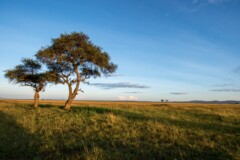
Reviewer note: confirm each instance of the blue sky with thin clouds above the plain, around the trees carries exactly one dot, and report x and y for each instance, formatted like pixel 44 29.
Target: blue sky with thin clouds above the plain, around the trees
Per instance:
pixel 176 50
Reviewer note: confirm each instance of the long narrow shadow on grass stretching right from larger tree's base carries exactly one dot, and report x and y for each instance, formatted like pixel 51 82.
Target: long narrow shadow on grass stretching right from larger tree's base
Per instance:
pixel 191 125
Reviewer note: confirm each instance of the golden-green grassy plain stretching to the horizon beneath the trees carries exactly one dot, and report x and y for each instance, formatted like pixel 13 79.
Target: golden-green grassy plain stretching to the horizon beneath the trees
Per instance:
pixel 119 130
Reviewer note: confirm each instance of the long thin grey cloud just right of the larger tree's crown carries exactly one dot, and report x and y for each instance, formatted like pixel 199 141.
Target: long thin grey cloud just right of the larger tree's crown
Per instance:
pixel 119 85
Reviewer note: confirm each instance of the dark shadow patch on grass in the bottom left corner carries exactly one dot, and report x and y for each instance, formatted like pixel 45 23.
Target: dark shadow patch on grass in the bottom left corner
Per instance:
pixel 15 141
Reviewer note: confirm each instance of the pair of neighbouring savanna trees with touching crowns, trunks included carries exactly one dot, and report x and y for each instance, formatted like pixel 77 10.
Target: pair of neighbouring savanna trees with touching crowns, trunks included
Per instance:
pixel 70 59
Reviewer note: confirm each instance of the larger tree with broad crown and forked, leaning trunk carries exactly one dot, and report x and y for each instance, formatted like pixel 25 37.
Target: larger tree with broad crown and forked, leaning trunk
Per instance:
pixel 73 59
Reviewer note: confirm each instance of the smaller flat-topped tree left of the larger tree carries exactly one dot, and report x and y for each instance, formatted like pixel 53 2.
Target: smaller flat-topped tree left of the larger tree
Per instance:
pixel 28 74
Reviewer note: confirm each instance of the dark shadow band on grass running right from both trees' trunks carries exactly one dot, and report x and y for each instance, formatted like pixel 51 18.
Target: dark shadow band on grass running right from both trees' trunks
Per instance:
pixel 214 123
